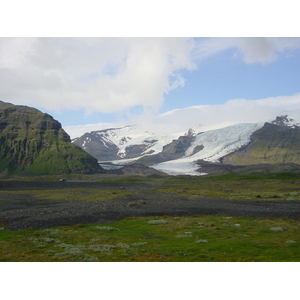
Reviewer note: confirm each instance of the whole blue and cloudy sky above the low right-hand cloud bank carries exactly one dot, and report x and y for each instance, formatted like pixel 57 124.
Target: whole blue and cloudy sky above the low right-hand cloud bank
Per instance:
pixel 83 81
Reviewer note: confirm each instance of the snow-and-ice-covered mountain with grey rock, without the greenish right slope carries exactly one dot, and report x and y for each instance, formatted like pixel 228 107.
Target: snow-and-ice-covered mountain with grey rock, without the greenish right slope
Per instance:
pixel 173 152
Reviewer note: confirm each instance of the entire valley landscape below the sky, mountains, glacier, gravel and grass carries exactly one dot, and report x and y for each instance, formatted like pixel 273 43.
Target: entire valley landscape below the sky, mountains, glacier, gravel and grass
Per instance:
pixel 228 191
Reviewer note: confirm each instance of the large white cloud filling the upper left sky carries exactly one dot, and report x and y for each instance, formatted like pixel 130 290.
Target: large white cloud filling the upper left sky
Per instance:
pixel 98 74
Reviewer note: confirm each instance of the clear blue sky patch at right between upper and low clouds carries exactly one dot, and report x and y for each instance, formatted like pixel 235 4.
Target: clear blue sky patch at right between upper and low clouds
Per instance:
pixel 221 78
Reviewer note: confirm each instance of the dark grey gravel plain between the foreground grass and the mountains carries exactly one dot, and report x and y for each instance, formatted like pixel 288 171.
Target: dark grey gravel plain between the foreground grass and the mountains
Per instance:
pixel 23 211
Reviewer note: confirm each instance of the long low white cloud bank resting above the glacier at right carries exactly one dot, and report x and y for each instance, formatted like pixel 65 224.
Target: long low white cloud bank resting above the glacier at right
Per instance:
pixel 237 111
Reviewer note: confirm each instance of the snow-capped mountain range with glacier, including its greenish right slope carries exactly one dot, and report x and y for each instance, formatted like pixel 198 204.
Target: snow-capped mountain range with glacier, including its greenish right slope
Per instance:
pixel 183 151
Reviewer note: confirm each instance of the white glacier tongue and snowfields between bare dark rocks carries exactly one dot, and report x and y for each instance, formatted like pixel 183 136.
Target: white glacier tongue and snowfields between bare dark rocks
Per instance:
pixel 216 141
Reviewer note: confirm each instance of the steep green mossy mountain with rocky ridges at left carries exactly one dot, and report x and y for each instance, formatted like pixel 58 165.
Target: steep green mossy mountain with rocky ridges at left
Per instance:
pixel 34 143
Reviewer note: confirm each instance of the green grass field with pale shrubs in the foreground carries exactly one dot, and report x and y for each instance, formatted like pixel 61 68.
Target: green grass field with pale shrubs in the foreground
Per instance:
pixel 196 238
